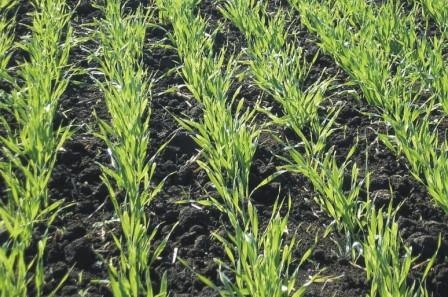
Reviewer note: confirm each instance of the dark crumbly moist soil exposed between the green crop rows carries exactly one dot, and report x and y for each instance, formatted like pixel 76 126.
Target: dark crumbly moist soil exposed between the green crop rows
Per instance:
pixel 81 242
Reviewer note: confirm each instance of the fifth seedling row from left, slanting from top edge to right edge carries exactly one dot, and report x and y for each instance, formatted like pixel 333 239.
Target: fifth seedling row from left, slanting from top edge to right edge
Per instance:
pixel 386 84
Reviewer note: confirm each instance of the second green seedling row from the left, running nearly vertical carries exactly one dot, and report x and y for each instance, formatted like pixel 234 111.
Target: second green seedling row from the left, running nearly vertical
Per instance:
pixel 126 86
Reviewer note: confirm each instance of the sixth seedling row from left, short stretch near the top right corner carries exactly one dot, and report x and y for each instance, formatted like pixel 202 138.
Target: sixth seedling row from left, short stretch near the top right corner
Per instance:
pixel 421 58
